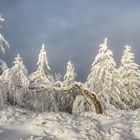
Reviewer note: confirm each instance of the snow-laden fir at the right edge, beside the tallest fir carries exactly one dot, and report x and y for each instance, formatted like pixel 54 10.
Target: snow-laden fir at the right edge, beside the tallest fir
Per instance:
pixel 130 74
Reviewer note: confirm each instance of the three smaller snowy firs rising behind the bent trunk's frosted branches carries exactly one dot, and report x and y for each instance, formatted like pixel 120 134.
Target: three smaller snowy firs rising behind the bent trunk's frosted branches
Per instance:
pixel 18 75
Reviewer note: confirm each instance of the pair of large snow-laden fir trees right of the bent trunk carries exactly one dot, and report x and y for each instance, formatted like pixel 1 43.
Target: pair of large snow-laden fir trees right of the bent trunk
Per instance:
pixel 119 86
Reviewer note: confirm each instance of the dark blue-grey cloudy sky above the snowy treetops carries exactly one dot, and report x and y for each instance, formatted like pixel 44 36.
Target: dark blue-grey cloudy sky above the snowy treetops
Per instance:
pixel 72 30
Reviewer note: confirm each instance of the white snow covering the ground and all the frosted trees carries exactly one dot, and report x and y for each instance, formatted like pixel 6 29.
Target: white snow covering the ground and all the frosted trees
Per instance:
pixel 39 93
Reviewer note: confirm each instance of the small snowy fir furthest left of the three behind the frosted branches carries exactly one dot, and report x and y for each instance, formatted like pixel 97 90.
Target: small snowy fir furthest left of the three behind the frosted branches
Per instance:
pixel 15 81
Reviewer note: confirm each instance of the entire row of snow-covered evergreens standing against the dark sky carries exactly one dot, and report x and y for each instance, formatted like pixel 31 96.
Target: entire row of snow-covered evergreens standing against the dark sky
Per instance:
pixel 118 86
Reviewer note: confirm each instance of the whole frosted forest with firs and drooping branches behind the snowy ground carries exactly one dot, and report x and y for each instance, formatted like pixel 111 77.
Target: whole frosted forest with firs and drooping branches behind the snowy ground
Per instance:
pixel 42 91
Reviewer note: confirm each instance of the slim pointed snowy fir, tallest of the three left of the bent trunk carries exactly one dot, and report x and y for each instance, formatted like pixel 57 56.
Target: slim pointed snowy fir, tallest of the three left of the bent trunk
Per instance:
pixel 41 76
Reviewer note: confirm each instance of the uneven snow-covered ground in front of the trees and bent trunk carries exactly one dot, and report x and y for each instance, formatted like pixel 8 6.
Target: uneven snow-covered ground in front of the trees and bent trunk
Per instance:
pixel 114 124
